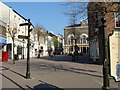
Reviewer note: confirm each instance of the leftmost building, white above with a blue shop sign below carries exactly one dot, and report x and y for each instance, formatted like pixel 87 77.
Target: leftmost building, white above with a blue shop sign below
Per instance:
pixel 4 15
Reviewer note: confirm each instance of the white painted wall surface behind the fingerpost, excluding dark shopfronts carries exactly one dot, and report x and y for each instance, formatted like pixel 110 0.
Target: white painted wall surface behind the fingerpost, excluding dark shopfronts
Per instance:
pixel 9 16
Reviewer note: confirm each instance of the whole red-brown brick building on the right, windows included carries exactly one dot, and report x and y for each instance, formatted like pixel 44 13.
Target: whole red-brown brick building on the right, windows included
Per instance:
pixel 95 12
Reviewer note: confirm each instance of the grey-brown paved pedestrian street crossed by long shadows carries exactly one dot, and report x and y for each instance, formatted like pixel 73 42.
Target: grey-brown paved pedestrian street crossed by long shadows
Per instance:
pixel 57 72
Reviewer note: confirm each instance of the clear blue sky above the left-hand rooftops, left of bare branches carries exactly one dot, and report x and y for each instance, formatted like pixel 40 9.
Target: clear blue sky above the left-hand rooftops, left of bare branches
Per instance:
pixel 48 14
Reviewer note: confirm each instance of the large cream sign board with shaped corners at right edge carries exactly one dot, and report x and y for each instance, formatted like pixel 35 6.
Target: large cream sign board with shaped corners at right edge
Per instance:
pixel 114 47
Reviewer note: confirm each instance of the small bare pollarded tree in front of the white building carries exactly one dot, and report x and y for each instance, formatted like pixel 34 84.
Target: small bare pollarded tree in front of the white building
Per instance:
pixel 12 33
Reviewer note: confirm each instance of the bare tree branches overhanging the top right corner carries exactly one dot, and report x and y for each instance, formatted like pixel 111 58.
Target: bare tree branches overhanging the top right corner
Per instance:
pixel 81 8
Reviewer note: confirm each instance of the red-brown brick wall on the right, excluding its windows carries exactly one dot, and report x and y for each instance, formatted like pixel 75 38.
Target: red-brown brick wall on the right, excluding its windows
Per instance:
pixel 110 25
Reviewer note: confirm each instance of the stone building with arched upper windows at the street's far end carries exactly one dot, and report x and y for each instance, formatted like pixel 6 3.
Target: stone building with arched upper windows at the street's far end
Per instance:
pixel 76 34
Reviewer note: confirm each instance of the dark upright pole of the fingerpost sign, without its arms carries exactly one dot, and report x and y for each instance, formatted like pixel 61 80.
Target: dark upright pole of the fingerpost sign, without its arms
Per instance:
pixel 28 53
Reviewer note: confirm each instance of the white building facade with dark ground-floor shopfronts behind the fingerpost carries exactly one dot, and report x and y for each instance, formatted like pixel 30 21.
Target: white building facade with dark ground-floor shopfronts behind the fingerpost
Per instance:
pixel 13 19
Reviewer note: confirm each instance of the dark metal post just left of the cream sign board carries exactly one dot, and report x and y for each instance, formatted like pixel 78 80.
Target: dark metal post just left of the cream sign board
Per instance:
pixel 106 85
